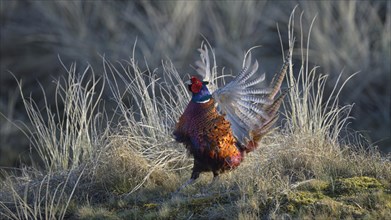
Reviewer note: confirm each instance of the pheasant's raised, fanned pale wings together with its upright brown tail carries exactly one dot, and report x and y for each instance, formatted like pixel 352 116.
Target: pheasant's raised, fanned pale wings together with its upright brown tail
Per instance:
pixel 250 108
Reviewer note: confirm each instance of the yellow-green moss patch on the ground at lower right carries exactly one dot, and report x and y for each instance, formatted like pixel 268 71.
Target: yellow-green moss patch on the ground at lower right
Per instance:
pixel 356 197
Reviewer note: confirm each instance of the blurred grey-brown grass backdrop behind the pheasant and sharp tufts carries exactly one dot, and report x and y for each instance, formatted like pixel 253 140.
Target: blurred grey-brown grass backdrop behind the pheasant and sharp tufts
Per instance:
pixel 347 37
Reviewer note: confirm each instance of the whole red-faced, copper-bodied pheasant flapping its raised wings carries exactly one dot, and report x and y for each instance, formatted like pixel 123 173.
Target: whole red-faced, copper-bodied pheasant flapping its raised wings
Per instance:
pixel 219 128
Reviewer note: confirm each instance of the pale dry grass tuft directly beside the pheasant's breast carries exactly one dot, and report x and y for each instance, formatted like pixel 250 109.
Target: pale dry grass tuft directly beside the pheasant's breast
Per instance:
pixel 146 109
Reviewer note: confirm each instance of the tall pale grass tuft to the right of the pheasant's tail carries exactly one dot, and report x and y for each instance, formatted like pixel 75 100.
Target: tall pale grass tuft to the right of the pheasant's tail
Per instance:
pixel 309 110
